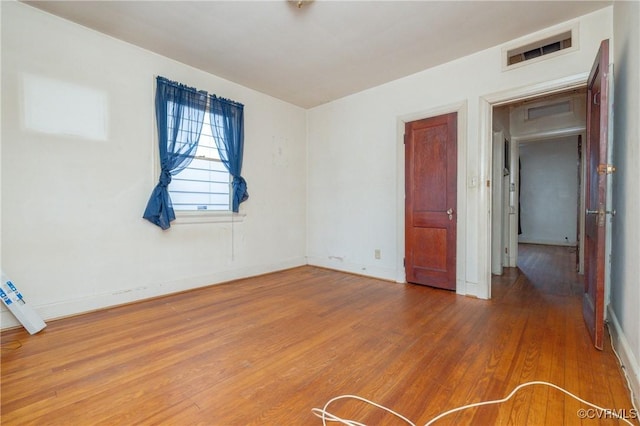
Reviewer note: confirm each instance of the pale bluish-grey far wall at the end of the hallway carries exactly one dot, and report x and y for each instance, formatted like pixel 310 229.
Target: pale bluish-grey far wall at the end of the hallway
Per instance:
pixel 549 191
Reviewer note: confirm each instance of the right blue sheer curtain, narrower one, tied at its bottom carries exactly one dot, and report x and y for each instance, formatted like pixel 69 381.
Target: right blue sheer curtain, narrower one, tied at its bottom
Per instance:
pixel 227 123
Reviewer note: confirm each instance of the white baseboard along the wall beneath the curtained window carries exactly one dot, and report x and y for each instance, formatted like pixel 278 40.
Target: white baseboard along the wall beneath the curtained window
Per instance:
pixel 108 299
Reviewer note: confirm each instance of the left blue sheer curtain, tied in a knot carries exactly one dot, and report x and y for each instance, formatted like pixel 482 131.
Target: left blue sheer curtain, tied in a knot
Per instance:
pixel 179 115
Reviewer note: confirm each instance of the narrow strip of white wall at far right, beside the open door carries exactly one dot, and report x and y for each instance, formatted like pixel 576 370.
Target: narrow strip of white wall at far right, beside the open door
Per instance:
pixel 623 314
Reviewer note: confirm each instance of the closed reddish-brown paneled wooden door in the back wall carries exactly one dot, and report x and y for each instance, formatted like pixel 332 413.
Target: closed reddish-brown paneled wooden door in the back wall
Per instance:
pixel 430 206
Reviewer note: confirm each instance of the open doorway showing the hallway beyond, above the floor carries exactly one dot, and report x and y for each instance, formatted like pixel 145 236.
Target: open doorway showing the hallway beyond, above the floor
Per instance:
pixel 537 195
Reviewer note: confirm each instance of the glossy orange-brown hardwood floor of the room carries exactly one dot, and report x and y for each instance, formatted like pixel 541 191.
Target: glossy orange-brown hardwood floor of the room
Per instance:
pixel 266 350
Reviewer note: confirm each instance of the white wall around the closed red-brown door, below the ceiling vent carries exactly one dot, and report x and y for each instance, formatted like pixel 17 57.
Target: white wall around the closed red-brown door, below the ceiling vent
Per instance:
pixel 355 178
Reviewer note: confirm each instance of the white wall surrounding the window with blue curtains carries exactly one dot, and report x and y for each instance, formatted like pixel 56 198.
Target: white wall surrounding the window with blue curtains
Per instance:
pixel 72 234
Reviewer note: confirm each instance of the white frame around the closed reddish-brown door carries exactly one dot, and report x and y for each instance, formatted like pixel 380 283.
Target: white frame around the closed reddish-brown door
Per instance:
pixel 461 109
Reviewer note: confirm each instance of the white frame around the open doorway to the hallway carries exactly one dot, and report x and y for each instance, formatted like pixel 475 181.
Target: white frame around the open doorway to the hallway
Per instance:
pixel 487 103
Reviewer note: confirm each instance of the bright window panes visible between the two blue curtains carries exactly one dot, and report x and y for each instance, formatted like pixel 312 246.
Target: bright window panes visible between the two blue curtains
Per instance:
pixel 204 185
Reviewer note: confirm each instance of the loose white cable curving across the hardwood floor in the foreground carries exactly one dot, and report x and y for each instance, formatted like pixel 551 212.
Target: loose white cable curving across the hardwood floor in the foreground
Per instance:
pixel 326 415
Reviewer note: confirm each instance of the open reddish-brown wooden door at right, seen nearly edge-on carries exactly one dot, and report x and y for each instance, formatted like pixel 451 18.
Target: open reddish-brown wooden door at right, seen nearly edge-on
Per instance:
pixel 596 193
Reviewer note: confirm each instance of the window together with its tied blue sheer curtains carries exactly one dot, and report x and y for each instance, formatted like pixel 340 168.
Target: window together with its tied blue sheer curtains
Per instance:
pixel 201 185
